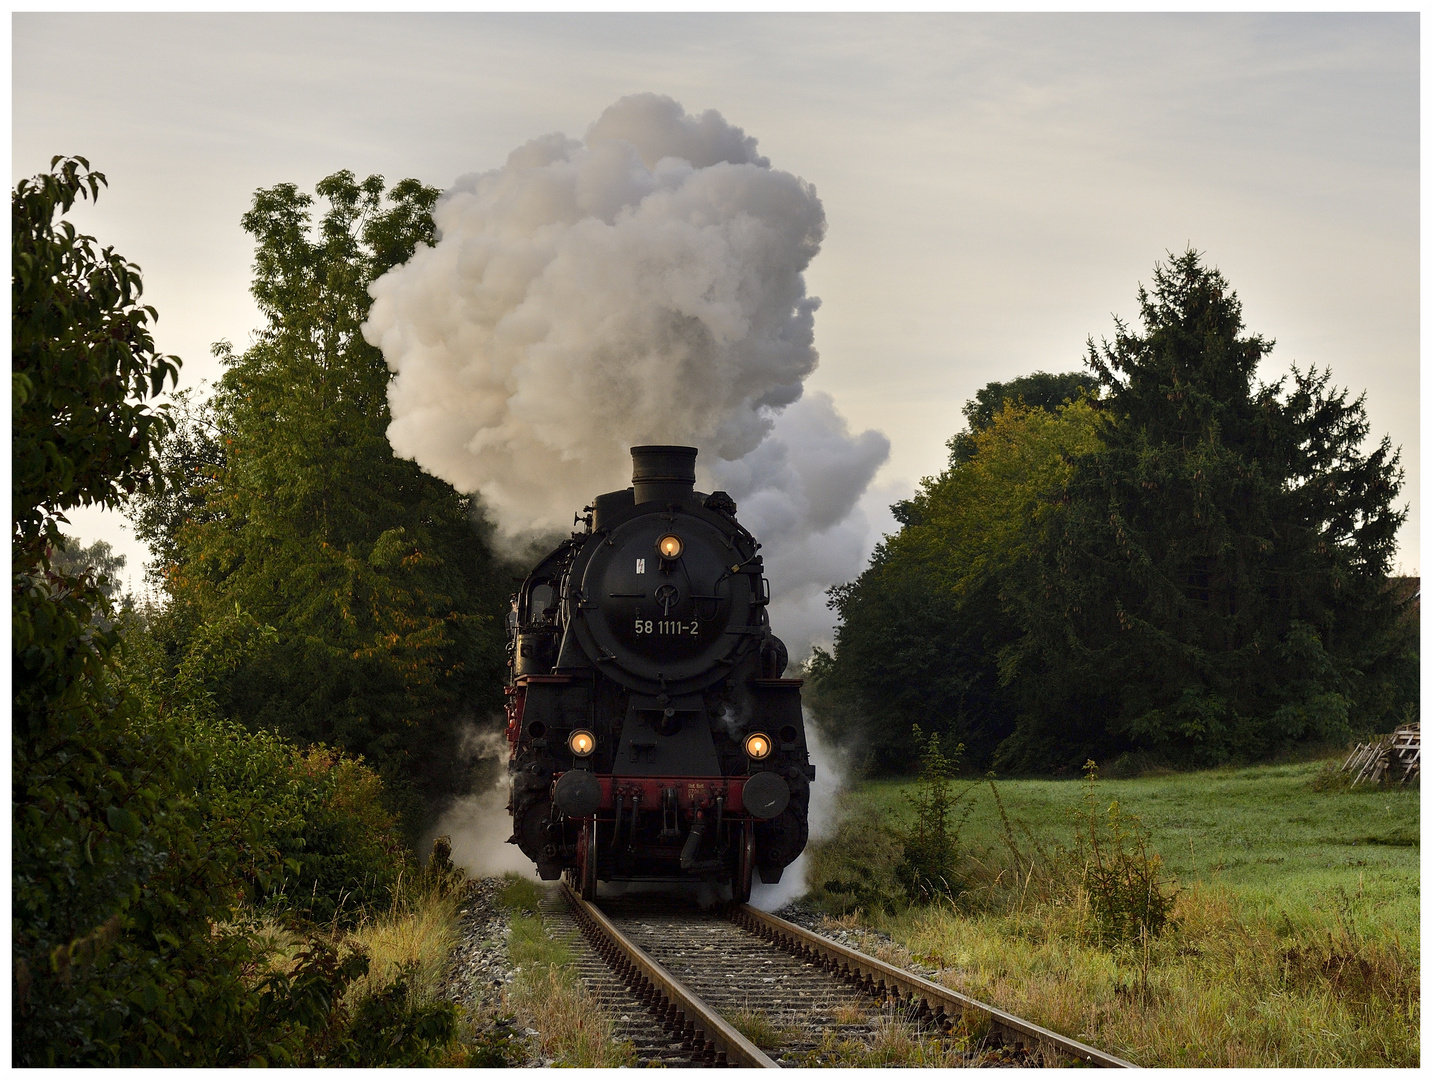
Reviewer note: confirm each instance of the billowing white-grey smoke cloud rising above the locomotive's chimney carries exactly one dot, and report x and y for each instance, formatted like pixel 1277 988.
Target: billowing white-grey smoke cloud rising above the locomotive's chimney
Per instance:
pixel 642 286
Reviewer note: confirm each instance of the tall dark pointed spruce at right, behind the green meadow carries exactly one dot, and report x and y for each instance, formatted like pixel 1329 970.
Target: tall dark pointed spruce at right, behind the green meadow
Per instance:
pixel 1221 587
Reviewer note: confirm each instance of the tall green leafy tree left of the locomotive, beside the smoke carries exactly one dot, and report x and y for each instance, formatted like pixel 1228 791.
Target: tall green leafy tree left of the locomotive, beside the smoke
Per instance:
pixel 286 501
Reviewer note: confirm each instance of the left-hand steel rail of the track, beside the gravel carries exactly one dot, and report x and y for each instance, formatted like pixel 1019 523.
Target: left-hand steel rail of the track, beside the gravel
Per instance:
pixel 712 1039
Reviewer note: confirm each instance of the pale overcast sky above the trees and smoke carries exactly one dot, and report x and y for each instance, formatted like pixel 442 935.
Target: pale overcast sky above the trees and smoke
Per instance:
pixel 996 187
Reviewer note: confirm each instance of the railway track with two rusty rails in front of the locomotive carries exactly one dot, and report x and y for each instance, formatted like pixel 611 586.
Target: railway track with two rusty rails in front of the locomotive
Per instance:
pixel 684 985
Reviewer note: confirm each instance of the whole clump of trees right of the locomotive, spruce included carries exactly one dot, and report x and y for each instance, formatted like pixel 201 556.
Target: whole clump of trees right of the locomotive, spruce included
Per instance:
pixel 1163 556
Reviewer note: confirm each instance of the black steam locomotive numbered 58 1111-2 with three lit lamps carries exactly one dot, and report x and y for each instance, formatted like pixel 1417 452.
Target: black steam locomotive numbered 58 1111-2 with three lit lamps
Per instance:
pixel 652 733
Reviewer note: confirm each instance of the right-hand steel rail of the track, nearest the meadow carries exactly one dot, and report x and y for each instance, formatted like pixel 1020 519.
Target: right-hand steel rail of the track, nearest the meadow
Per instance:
pixel 940 1003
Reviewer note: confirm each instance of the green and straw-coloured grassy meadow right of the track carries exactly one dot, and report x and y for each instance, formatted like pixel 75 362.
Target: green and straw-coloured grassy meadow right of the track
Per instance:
pixel 1292 936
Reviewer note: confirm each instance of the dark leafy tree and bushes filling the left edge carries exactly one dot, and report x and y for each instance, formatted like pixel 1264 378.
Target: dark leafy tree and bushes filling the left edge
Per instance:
pixel 145 831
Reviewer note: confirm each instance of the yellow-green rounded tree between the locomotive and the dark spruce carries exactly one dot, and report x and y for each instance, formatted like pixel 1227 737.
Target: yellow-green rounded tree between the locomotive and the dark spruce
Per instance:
pixel 926 630
